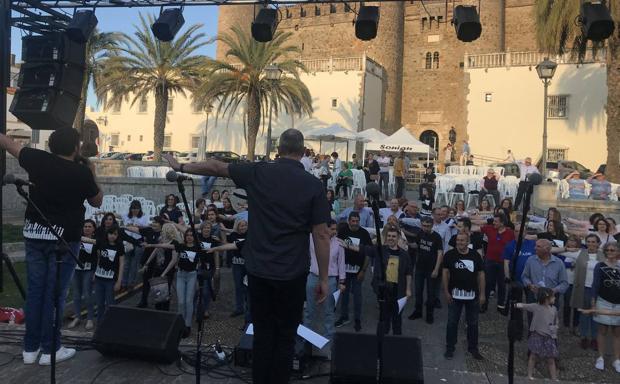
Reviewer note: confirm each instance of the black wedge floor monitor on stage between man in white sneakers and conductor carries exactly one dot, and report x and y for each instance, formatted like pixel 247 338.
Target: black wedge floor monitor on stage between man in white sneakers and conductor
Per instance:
pixel 139 333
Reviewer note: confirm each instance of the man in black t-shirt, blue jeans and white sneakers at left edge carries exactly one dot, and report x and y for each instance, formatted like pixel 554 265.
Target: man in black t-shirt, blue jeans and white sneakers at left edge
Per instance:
pixel 62 180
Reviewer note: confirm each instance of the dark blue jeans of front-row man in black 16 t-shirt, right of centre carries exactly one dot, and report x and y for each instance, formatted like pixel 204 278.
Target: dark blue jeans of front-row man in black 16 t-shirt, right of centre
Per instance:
pixel 471 317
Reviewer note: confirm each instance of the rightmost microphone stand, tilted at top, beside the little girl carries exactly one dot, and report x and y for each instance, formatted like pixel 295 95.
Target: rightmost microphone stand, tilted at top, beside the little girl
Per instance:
pixel 515 324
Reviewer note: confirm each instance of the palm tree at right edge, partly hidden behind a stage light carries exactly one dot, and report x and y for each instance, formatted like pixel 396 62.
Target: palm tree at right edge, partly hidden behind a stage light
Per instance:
pixel 557 33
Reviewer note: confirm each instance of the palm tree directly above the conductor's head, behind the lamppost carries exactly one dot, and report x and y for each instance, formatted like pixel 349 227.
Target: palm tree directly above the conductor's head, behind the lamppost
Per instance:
pixel 244 83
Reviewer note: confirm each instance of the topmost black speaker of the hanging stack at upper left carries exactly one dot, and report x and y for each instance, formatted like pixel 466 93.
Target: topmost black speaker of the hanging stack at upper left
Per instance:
pixel 53 47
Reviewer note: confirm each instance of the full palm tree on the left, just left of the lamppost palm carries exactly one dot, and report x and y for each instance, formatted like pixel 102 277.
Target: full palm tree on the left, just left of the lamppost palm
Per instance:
pixel 144 64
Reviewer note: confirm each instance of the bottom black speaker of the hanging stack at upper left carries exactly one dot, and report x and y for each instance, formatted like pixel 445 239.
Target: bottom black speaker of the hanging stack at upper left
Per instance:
pixel 45 108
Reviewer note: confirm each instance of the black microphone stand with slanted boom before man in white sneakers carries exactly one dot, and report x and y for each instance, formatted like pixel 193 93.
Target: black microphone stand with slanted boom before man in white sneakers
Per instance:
pixel 62 247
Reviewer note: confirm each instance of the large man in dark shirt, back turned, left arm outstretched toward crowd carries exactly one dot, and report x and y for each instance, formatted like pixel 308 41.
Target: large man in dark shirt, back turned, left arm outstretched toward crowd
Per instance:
pixel 286 204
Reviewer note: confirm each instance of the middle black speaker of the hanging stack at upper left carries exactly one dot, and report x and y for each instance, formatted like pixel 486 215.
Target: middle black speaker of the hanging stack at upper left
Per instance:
pixel 65 77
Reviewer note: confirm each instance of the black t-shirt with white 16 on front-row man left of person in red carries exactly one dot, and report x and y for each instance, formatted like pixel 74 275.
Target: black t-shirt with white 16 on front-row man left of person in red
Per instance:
pixel 463 283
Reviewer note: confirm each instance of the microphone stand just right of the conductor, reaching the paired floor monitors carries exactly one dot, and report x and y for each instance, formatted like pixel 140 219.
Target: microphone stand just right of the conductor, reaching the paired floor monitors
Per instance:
pixel 381 290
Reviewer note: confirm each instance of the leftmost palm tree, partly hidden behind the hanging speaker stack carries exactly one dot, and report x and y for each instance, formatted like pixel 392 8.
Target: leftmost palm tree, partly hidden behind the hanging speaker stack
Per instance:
pixel 98 47
